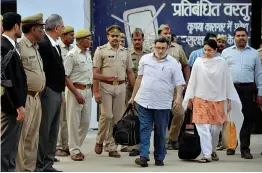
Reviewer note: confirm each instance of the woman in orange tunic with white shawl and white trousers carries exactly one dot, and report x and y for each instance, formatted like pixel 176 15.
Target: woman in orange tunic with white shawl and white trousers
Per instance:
pixel 212 94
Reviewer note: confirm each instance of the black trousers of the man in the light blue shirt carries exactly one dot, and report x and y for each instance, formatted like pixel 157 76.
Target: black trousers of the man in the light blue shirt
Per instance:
pixel 246 94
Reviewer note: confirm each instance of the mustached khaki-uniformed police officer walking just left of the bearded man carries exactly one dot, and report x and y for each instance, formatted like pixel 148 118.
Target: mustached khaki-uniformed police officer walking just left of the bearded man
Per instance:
pixel 111 59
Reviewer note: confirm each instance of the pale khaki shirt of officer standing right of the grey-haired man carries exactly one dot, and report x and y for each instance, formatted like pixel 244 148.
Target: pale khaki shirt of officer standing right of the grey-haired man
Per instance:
pixel 79 67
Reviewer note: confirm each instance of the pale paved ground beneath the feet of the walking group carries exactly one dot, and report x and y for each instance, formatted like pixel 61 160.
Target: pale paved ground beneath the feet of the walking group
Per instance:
pixel 102 163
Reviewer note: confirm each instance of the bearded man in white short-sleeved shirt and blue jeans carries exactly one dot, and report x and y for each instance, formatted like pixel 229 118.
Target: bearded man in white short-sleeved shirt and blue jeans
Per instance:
pixel 158 75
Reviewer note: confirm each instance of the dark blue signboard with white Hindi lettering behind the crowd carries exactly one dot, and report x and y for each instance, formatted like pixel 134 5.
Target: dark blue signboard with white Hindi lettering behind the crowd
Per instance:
pixel 190 20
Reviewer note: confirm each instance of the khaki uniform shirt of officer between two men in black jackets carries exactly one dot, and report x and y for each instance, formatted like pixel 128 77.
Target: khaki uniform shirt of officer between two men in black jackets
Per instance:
pixel 33 65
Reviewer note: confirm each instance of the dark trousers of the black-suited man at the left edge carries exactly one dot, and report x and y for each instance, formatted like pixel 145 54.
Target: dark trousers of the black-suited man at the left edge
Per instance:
pixel 10 135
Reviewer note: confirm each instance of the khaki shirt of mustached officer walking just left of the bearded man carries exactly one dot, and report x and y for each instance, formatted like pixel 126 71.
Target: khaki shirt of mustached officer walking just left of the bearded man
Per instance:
pixel 113 63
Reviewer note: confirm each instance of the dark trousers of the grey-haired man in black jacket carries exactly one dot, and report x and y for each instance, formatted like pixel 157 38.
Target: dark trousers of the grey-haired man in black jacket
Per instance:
pixel 48 132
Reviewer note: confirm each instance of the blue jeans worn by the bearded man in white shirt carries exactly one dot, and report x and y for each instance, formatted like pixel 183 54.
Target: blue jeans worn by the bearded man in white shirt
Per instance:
pixel 160 119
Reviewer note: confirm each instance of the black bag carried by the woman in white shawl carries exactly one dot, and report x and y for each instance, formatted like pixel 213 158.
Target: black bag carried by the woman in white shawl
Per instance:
pixel 189 144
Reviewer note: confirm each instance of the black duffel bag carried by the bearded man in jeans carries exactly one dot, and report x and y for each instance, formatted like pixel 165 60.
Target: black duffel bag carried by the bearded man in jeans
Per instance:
pixel 126 130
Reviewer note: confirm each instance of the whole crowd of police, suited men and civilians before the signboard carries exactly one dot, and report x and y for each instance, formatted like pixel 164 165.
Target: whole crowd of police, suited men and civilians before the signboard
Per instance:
pixel 46 109
